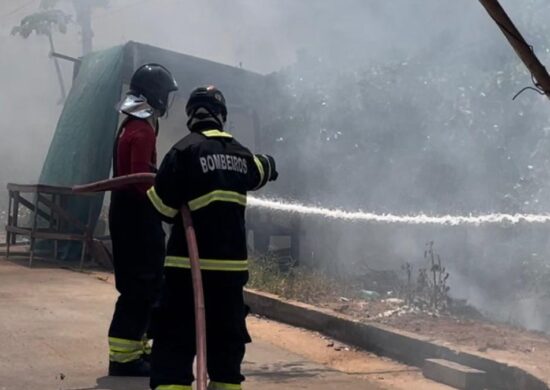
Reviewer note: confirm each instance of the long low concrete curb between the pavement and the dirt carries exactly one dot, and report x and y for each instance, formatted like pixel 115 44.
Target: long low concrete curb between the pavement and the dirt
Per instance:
pixel 383 340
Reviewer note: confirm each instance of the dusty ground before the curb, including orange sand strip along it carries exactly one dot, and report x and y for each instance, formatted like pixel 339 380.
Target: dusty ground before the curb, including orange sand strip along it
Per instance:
pixel 53 324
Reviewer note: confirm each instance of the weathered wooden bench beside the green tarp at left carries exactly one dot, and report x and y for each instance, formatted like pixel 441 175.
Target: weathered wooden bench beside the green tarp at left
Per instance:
pixel 46 203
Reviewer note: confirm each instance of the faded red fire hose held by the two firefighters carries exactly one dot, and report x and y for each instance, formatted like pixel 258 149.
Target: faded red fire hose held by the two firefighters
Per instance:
pixel 198 293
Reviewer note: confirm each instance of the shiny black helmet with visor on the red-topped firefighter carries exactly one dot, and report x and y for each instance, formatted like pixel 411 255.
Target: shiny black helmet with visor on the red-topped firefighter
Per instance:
pixel 155 82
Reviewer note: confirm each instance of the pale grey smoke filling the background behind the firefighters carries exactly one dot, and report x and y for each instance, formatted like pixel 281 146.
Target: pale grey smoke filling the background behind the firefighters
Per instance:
pixel 391 107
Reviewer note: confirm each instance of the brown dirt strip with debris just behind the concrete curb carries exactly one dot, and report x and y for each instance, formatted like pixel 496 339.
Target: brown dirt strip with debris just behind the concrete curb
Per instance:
pixel 526 349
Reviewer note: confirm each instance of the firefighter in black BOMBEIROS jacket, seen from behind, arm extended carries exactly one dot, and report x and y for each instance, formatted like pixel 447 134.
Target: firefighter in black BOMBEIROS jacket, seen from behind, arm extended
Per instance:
pixel 210 172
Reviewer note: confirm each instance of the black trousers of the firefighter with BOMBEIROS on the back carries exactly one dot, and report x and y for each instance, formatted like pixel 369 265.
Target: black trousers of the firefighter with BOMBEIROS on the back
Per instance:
pixel 174 346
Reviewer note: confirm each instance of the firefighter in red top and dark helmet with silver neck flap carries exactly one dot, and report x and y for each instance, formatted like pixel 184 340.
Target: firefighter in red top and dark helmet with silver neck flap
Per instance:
pixel 136 230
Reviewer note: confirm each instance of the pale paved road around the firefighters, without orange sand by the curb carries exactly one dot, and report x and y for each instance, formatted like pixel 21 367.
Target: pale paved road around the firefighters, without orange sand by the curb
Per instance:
pixel 52 331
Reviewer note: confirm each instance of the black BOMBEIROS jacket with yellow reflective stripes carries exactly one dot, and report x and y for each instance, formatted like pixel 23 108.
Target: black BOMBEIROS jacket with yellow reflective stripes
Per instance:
pixel 221 171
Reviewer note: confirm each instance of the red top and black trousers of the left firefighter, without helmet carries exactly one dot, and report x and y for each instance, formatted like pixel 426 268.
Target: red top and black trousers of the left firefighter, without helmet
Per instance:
pixel 138 243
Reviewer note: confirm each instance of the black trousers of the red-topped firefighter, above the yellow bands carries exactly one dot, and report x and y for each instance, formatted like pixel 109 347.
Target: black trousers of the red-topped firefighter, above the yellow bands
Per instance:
pixel 138 257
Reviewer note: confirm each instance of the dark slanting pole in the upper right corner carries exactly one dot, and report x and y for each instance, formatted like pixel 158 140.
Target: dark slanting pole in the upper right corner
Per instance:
pixel 521 47
